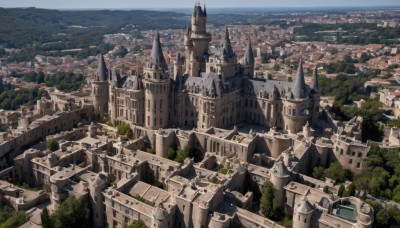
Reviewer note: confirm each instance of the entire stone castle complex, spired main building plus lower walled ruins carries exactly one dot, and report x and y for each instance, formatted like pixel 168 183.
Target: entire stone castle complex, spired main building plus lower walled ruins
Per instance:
pixel 201 106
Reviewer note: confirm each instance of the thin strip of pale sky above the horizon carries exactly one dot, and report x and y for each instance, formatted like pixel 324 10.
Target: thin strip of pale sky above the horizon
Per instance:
pixel 185 4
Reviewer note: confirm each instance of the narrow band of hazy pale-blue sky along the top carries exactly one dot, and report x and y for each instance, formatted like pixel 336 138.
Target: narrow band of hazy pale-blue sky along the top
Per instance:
pixel 131 4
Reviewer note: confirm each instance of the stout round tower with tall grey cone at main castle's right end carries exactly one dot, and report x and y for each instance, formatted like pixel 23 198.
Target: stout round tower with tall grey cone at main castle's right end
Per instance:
pixel 296 103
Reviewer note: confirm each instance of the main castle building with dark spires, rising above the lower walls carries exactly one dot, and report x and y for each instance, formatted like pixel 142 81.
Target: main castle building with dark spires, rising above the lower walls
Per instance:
pixel 207 89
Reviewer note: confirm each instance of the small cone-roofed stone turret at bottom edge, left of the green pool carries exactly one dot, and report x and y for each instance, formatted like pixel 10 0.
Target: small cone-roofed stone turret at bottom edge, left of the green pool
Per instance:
pixel 302 214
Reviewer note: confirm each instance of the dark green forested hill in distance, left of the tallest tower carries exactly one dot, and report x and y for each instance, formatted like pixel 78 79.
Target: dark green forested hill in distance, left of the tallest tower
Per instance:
pixel 20 27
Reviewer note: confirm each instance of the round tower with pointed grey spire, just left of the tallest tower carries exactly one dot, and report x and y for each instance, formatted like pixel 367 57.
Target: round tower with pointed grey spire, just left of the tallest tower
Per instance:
pixel 157 88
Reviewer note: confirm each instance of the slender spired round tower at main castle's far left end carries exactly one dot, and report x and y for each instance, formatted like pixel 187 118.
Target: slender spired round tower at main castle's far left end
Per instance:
pixel 100 88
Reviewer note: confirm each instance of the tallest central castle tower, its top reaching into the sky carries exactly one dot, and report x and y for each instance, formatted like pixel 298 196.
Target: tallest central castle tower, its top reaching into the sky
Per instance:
pixel 197 41
